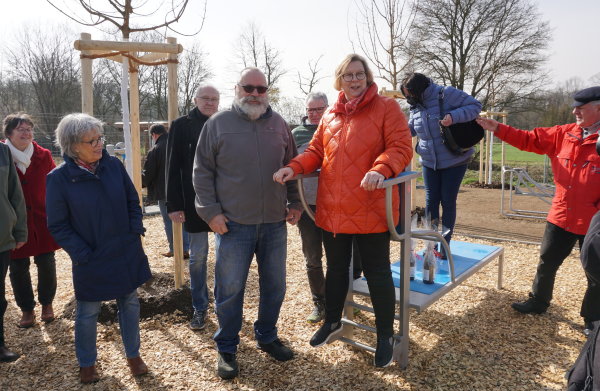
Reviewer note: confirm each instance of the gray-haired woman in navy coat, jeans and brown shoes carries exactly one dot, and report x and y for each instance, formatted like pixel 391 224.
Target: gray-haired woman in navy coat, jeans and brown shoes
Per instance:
pixel 94 214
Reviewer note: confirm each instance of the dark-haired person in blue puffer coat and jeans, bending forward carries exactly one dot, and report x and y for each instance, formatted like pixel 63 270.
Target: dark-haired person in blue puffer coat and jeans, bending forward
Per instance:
pixel 443 170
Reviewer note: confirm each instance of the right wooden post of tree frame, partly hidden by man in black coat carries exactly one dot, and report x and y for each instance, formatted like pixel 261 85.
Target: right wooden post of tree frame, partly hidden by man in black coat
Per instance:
pixel 173 114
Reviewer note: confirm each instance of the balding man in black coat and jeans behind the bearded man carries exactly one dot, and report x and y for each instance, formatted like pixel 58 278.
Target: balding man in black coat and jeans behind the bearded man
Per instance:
pixel 181 147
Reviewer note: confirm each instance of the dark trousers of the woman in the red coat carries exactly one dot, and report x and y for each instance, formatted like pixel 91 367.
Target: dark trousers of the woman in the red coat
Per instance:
pixel 21 280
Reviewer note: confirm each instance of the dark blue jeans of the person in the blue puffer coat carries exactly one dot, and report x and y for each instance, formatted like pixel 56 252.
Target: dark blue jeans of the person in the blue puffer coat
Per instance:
pixel 441 187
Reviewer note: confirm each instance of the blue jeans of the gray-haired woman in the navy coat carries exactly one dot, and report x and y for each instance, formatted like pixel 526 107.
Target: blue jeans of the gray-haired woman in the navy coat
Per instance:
pixel 86 318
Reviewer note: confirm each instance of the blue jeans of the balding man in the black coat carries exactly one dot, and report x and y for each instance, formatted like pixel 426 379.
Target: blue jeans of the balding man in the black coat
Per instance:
pixel 198 256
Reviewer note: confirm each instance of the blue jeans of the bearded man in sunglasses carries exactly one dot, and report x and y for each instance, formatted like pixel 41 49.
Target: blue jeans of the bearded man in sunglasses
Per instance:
pixel 234 252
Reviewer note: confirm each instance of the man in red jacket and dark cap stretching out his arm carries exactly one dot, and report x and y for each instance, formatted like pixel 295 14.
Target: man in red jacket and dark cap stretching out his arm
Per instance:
pixel 576 167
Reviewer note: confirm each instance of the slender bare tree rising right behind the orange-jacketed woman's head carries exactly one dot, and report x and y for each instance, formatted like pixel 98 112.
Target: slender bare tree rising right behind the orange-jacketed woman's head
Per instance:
pixel 382 30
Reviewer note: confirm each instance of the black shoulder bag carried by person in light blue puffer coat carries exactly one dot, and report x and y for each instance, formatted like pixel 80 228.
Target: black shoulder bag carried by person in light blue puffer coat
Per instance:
pixel 459 137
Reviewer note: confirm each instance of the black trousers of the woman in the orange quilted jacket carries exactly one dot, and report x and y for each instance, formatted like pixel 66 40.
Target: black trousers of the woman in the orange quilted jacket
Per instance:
pixel 375 253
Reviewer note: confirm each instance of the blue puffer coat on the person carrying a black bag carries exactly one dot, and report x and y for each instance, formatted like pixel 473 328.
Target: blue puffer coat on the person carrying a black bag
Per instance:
pixel 424 123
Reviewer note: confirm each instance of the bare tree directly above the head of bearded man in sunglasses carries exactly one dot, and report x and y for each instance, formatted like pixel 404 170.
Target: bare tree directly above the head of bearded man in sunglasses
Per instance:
pixel 254 51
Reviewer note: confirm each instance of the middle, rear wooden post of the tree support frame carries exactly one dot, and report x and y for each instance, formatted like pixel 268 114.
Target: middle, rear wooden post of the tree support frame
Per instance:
pixel 134 115
